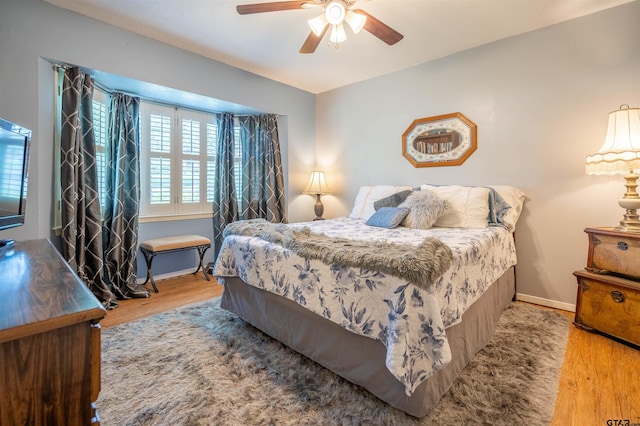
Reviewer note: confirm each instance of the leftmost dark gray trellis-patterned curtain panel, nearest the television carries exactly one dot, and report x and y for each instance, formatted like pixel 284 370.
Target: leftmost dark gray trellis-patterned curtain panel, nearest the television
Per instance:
pixel 80 204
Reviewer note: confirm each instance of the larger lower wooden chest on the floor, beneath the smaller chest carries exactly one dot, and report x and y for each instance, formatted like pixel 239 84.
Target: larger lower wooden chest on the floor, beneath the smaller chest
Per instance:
pixel 609 304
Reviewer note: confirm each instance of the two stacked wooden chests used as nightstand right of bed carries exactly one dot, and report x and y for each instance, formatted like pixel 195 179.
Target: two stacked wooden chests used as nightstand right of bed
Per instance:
pixel 609 287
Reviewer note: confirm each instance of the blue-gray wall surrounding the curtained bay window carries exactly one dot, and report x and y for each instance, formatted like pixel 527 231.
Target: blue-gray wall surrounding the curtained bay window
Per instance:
pixel 31 30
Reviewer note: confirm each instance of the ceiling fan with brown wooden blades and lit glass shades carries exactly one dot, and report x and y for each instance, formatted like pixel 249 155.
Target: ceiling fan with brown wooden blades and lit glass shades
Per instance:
pixel 335 14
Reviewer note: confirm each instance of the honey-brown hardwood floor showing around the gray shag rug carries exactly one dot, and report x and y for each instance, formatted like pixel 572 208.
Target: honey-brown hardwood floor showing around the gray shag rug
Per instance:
pixel 599 383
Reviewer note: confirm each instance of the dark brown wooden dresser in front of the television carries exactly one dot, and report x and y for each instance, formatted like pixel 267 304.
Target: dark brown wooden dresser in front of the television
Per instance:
pixel 49 340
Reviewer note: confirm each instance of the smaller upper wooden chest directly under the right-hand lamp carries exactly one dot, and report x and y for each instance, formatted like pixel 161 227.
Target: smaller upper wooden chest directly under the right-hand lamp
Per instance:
pixel 614 251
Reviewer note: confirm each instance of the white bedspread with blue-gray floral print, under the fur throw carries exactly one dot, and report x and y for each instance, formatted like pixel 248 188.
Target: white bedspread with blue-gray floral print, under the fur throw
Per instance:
pixel 408 320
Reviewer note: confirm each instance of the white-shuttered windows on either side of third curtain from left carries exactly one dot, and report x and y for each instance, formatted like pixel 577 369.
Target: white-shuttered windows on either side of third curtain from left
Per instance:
pixel 177 160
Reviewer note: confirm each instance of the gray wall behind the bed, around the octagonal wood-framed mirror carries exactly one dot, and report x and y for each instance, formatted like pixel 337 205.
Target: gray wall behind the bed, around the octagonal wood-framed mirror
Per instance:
pixel 540 101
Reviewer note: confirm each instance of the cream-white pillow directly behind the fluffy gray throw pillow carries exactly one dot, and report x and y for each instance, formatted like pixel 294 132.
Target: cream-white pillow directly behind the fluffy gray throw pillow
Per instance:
pixel 469 206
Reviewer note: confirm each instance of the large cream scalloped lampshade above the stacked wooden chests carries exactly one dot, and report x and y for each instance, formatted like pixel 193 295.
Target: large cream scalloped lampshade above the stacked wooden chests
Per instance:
pixel 620 152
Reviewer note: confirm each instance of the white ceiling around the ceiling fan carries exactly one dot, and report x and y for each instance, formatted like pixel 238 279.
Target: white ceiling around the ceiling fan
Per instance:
pixel 267 44
